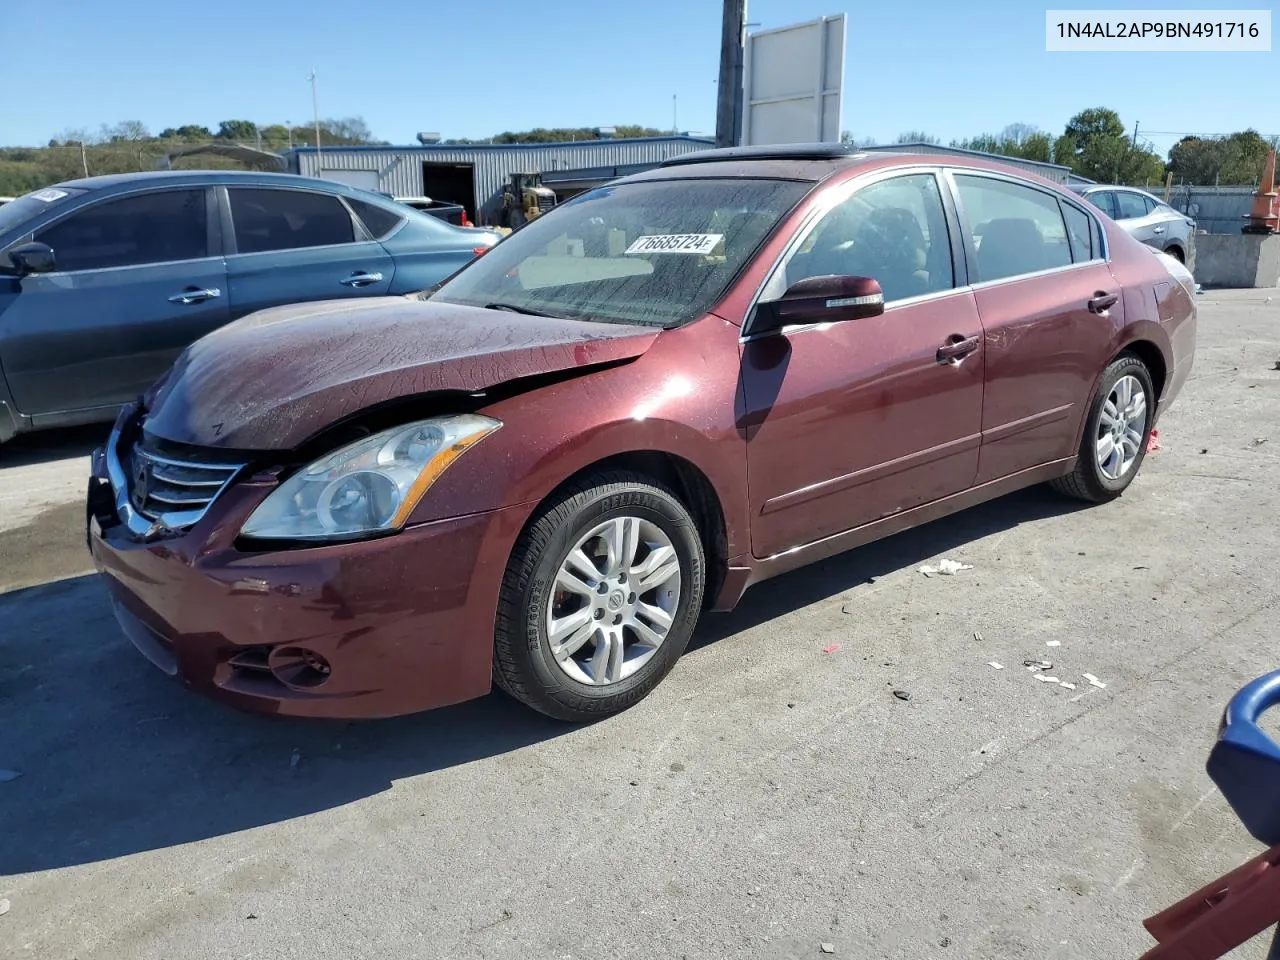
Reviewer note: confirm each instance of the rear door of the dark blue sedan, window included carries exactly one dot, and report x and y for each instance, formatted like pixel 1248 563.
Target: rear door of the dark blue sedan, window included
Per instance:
pixel 299 245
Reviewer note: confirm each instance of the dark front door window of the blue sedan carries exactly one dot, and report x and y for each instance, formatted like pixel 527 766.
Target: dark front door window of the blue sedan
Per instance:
pixel 145 228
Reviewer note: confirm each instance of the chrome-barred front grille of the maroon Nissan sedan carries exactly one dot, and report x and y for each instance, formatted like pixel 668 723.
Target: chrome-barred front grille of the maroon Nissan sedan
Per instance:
pixel 175 492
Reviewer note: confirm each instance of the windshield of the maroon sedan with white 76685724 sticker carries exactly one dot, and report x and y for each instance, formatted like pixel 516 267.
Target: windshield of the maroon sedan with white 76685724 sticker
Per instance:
pixel 659 253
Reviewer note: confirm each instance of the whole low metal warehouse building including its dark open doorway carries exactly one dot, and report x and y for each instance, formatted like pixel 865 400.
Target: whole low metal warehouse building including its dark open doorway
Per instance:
pixel 474 175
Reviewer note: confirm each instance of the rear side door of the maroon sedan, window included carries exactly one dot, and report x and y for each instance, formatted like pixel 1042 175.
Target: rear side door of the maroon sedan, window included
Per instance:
pixel 1049 308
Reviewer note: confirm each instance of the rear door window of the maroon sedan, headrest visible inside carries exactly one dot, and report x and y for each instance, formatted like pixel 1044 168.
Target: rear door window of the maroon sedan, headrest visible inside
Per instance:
pixel 1016 230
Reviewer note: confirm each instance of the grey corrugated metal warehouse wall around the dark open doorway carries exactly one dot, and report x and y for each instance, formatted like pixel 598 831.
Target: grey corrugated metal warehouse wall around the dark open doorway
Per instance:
pixel 400 170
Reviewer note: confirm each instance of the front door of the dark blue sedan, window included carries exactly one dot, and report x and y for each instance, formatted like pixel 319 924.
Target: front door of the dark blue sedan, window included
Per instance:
pixel 138 278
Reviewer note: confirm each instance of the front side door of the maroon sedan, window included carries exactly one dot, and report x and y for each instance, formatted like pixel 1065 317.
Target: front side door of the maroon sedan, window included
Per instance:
pixel 853 422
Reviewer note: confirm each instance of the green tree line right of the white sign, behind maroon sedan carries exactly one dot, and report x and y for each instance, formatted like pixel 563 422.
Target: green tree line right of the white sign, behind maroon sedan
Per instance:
pixel 1096 145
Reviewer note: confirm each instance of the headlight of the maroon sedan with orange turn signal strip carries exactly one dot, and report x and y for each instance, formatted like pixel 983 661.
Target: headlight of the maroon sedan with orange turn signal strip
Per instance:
pixel 369 486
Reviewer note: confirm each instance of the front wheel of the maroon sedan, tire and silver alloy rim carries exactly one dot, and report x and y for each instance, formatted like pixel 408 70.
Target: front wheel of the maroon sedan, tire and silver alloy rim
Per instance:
pixel 601 598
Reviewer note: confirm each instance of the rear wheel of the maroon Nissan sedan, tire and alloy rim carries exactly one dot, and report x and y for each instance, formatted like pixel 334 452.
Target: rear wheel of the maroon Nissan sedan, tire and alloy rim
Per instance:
pixel 1117 431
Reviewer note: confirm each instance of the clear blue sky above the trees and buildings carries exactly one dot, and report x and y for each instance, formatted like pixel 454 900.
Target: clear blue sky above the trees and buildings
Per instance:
pixel 473 70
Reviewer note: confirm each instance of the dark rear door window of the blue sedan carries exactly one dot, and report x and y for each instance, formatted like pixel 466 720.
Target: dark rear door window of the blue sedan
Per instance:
pixel 289 220
